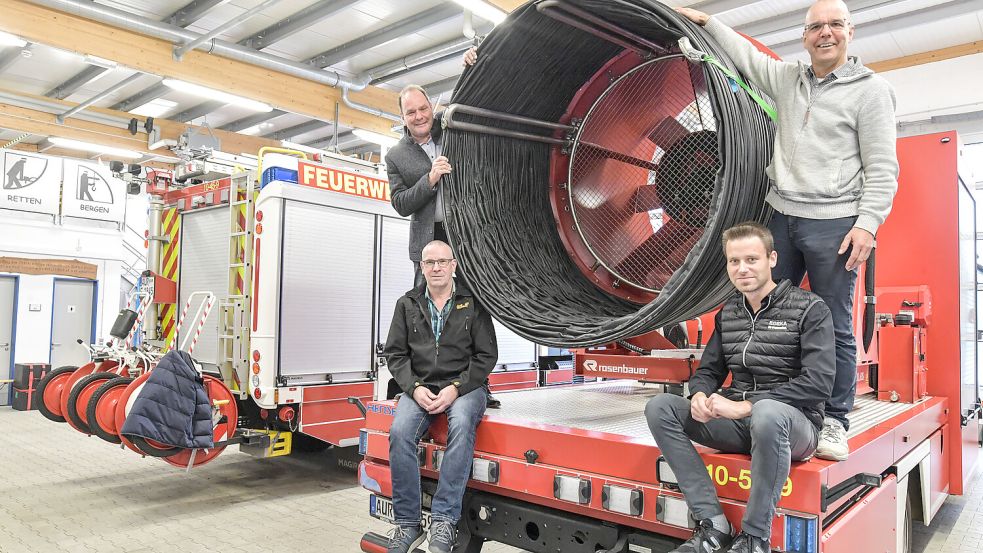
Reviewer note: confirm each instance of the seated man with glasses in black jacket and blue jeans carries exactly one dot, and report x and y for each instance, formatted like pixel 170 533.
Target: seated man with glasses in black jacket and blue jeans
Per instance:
pixel 440 350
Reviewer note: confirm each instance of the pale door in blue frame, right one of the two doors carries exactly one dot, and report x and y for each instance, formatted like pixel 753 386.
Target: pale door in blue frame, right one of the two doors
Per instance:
pixel 71 321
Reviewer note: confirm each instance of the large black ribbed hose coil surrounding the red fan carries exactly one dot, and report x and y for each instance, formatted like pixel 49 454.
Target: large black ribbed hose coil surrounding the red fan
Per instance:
pixel 497 200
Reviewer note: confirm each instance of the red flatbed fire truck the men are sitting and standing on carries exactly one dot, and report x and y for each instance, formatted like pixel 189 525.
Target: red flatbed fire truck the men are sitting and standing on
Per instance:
pixel 575 469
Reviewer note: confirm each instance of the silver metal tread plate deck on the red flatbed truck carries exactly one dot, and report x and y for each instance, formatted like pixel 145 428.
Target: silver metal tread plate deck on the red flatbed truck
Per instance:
pixel 618 407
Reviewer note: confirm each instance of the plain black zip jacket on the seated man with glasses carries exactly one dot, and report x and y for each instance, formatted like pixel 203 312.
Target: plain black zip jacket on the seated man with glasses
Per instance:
pixel 467 353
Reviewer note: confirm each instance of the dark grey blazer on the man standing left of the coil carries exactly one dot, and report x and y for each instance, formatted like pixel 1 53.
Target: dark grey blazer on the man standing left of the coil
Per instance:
pixel 408 167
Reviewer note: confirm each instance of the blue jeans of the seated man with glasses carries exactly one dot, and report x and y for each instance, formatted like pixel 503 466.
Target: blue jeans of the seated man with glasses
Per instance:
pixel 409 425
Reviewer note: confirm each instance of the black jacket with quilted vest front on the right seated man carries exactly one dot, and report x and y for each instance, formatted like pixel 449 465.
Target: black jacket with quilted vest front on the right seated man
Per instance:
pixel 784 352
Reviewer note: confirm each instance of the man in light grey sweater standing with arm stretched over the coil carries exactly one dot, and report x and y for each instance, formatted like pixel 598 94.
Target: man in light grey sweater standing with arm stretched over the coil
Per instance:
pixel 834 174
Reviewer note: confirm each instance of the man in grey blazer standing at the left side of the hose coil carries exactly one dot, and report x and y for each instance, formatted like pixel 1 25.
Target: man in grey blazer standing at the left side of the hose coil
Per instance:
pixel 415 167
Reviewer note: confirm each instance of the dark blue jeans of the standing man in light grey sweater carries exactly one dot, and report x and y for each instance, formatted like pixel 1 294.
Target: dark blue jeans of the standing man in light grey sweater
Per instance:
pixel 810 246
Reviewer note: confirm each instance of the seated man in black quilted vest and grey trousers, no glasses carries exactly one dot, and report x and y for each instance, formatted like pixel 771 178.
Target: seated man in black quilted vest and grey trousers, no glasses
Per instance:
pixel 774 339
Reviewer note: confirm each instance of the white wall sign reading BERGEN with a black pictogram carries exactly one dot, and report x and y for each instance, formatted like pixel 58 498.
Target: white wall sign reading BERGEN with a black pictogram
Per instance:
pixel 92 192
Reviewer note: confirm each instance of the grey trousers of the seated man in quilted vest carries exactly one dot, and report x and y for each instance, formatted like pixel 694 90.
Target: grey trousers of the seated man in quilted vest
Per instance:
pixel 774 435
